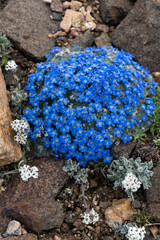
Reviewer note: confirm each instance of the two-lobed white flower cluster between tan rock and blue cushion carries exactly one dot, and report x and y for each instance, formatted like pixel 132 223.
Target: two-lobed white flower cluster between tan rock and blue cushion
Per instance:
pixel 22 129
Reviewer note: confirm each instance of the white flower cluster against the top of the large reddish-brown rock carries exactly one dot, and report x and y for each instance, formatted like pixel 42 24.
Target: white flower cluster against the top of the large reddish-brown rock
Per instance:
pixel 27 172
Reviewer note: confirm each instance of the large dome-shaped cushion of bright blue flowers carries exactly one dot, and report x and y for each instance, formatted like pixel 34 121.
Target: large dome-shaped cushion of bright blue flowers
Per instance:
pixel 81 101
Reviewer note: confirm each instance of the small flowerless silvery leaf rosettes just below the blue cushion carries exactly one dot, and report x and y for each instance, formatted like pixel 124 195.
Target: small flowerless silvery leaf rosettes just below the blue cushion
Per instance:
pixel 80 175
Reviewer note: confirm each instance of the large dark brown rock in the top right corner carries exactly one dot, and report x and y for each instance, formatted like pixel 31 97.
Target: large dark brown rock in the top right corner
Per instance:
pixel 142 25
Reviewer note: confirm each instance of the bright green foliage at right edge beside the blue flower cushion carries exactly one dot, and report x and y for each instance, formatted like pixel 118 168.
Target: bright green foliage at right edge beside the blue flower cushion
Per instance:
pixel 155 127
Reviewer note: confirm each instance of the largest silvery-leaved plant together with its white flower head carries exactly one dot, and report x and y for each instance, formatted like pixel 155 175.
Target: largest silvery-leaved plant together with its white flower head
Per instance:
pixel 130 174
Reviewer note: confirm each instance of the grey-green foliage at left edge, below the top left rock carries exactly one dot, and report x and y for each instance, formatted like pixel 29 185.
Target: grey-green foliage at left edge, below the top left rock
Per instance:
pixel 4 49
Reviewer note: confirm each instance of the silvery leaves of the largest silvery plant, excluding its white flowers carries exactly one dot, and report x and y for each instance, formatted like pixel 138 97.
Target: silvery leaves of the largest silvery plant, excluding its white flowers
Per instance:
pixel 119 169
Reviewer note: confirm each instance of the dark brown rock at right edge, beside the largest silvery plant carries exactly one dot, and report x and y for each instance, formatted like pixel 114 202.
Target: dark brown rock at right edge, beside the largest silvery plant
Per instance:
pixel 153 193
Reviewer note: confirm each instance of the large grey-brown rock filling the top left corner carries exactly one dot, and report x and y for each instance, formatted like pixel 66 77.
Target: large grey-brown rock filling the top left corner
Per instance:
pixel 27 24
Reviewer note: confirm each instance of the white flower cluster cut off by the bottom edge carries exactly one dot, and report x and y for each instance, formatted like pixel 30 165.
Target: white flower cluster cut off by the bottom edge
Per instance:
pixel 135 233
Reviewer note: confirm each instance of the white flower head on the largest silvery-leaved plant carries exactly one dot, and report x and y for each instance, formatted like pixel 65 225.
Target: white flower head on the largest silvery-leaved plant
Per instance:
pixel 131 182
